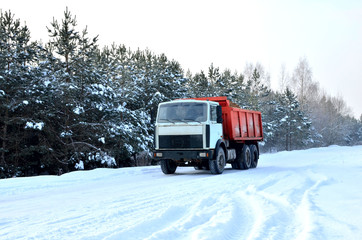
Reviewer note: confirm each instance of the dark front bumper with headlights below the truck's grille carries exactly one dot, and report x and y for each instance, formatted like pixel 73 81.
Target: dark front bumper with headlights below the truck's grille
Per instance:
pixel 183 155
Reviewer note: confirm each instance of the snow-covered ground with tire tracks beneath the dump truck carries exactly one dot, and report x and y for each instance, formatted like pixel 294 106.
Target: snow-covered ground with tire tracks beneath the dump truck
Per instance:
pixel 312 194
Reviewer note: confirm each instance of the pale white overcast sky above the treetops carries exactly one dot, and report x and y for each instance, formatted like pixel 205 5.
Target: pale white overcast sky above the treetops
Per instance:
pixel 226 33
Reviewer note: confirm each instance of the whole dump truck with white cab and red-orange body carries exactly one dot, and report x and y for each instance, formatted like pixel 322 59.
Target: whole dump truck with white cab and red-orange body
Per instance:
pixel 206 133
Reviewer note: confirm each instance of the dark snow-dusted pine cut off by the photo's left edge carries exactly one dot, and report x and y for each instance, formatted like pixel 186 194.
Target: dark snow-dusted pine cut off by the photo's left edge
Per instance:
pixel 18 75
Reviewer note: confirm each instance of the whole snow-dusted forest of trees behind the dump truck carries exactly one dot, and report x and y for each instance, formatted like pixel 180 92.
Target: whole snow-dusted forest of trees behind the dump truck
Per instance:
pixel 70 104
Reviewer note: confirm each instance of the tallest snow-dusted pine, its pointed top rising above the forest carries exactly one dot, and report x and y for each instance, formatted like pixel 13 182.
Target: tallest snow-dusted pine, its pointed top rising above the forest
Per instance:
pixel 81 94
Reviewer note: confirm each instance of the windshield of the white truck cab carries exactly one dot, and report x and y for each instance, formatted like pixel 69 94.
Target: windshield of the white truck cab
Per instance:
pixel 182 112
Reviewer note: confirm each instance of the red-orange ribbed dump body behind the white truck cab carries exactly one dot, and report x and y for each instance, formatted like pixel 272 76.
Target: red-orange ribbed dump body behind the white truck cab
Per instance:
pixel 239 125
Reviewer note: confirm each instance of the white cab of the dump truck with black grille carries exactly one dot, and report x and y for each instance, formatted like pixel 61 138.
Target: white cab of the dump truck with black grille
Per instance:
pixel 187 133
